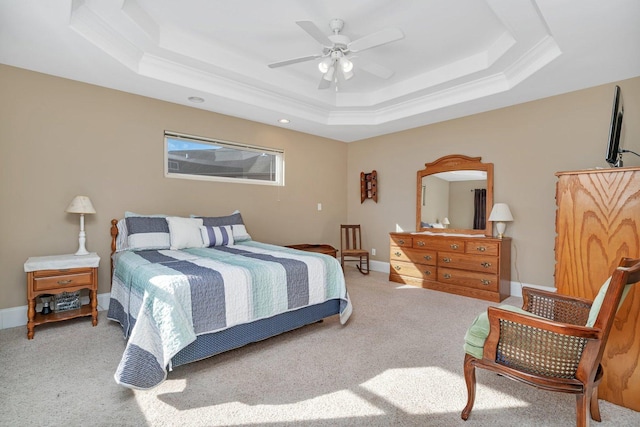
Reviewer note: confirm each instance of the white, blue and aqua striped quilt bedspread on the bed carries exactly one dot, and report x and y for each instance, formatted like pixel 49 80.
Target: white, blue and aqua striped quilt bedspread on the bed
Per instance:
pixel 165 298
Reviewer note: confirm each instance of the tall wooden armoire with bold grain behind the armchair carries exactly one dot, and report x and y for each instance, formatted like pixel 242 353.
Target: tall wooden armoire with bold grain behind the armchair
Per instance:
pixel 597 223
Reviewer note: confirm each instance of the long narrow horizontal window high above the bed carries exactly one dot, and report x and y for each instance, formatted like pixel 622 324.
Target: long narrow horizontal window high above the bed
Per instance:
pixel 193 157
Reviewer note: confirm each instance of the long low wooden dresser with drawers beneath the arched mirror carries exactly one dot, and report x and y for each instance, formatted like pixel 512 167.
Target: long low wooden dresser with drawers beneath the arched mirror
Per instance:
pixel 478 267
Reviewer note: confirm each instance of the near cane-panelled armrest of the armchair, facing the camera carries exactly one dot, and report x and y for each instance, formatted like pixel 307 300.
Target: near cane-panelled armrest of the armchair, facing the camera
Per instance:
pixel 536 345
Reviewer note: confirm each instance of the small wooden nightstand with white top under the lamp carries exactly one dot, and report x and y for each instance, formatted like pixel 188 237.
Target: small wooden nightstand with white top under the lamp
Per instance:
pixel 53 275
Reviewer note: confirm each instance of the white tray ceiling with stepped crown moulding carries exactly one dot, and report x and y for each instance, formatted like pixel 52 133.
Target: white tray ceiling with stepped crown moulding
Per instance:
pixel 457 58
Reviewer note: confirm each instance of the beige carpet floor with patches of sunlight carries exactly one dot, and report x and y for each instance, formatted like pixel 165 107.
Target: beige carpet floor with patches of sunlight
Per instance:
pixel 398 361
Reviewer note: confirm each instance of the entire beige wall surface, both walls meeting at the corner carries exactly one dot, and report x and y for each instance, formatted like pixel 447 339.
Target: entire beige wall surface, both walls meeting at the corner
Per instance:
pixel 61 138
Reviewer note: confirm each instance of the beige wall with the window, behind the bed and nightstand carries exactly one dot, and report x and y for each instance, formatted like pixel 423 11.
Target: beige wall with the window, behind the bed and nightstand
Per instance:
pixel 61 138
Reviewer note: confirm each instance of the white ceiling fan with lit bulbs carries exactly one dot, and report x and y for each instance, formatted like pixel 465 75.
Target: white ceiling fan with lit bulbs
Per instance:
pixel 337 49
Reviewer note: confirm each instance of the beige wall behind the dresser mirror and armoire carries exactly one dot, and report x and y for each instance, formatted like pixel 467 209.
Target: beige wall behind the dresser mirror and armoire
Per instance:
pixel 527 143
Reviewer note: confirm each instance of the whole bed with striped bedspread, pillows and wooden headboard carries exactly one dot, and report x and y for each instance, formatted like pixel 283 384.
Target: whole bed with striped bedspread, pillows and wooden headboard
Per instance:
pixel 184 289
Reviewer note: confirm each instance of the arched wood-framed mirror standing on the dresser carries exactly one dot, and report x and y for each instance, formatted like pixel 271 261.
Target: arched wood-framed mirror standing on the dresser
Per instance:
pixel 455 195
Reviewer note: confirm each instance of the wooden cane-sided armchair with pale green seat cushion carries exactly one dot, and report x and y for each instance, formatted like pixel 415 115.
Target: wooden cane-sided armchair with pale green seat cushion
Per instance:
pixel 546 343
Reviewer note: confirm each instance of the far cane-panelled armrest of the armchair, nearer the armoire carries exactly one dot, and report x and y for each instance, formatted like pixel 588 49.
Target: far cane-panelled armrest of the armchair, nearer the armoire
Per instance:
pixel 556 307
